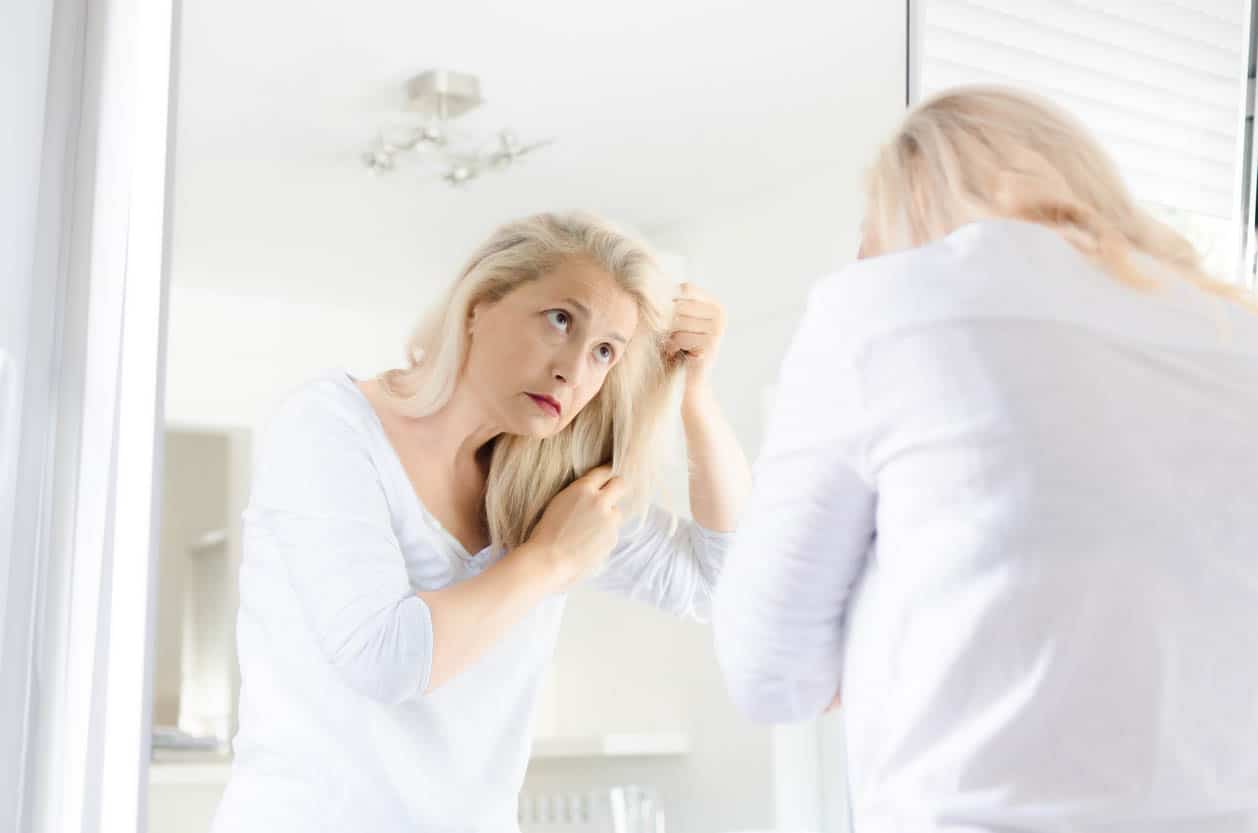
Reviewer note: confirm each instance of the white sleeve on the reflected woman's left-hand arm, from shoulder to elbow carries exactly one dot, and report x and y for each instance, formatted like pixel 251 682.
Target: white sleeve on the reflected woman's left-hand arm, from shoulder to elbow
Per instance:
pixel 321 504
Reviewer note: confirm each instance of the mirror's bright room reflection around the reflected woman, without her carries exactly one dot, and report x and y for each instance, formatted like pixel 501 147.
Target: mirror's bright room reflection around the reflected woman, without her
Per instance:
pixel 334 171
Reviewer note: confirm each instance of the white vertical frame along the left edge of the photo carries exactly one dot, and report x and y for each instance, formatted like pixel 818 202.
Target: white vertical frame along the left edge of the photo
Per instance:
pixel 92 384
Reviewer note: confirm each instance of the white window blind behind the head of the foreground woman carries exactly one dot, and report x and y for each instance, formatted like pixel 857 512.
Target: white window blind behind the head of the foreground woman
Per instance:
pixel 1162 84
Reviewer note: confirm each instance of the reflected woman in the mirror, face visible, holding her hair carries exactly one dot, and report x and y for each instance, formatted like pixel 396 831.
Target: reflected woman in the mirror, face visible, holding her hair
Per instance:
pixel 411 539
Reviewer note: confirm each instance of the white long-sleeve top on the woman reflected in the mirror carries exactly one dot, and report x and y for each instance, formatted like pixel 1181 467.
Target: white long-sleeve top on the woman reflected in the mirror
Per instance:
pixel 337 729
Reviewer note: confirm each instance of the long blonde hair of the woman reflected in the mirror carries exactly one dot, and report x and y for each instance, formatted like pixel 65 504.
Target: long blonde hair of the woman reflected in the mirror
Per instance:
pixel 621 423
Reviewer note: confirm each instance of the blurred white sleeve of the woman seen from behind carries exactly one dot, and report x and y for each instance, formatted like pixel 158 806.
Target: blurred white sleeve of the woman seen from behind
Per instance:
pixel 802 543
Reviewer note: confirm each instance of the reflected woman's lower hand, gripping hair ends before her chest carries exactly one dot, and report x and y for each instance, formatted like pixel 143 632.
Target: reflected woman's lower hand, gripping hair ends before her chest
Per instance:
pixel 581 527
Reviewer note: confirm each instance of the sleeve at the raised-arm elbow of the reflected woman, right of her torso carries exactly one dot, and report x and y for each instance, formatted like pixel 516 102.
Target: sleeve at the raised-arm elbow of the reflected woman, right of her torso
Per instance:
pixel 667 562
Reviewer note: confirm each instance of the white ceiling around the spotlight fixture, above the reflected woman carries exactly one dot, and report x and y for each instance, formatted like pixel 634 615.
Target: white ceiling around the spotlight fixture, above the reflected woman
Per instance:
pixel 664 110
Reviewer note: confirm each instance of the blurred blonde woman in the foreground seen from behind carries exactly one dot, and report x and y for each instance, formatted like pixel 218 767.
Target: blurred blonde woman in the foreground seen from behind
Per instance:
pixel 1006 503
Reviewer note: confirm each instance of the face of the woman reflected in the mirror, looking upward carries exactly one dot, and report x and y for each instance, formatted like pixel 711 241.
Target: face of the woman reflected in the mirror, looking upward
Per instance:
pixel 540 354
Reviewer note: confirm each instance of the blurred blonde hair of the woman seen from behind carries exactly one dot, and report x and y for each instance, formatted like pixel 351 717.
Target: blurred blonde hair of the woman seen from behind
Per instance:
pixel 981 153
